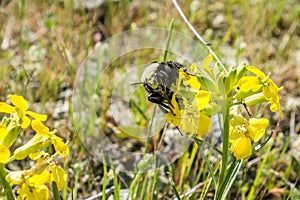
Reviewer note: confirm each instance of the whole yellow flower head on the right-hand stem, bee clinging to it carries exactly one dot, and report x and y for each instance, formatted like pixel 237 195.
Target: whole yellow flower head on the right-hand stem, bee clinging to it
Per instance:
pixel 242 86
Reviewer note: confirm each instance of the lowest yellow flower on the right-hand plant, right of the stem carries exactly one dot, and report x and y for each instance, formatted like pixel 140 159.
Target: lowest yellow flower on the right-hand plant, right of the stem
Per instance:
pixel 242 132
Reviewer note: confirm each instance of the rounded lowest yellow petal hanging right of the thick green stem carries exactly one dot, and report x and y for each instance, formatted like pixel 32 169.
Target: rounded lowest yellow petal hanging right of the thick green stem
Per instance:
pixel 241 148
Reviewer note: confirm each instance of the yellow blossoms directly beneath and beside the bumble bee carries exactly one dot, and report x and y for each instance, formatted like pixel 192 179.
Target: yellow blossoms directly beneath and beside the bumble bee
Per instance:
pixel 189 104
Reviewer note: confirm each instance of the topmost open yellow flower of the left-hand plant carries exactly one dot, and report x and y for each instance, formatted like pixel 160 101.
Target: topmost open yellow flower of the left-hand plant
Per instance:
pixel 20 108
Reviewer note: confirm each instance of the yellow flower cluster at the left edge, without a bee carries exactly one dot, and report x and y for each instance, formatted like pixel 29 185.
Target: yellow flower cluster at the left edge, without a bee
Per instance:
pixel 32 181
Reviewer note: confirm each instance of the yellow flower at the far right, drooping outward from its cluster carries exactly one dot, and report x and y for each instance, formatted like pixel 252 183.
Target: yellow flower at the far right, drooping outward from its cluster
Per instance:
pixel 263 83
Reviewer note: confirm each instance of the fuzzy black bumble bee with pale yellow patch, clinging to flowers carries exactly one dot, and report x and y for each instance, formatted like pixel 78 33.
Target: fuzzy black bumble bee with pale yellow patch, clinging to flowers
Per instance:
pixel 160 81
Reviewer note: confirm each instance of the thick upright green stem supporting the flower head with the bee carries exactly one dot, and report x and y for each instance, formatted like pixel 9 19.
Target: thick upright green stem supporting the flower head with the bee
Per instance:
pixel 225 144
